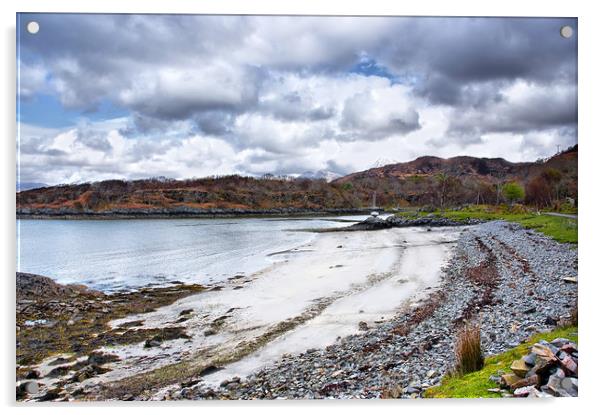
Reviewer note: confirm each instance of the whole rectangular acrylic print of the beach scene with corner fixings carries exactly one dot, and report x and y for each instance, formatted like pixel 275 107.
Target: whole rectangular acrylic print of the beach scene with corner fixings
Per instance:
pixel 295 207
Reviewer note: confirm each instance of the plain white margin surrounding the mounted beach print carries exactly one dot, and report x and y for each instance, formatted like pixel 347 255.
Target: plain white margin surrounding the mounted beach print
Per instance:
pixel 590 138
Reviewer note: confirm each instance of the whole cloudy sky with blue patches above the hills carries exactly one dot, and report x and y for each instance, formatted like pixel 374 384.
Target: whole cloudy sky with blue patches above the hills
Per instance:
pixel 133 96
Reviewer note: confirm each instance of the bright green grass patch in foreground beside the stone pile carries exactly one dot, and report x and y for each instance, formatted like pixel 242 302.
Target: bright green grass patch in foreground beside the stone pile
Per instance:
pixel 475 385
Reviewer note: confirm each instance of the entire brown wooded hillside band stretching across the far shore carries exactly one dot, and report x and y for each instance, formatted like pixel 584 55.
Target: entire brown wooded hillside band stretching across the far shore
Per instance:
pixel 426 180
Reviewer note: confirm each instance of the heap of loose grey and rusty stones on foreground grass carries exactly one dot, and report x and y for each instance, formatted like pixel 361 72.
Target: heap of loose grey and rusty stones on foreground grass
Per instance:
pixel 550 369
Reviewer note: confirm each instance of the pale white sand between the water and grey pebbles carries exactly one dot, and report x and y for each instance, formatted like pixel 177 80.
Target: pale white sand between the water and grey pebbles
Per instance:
pixel 312 296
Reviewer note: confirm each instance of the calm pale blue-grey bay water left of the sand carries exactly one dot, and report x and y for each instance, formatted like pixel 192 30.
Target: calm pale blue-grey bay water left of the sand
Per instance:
pixel 122 254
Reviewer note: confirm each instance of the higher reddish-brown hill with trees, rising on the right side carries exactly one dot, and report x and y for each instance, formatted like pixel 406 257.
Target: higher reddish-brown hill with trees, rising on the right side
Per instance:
pixel 460 180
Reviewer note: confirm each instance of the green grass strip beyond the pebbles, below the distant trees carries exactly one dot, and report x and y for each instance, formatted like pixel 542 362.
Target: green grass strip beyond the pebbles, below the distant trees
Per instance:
pixel 558 228
